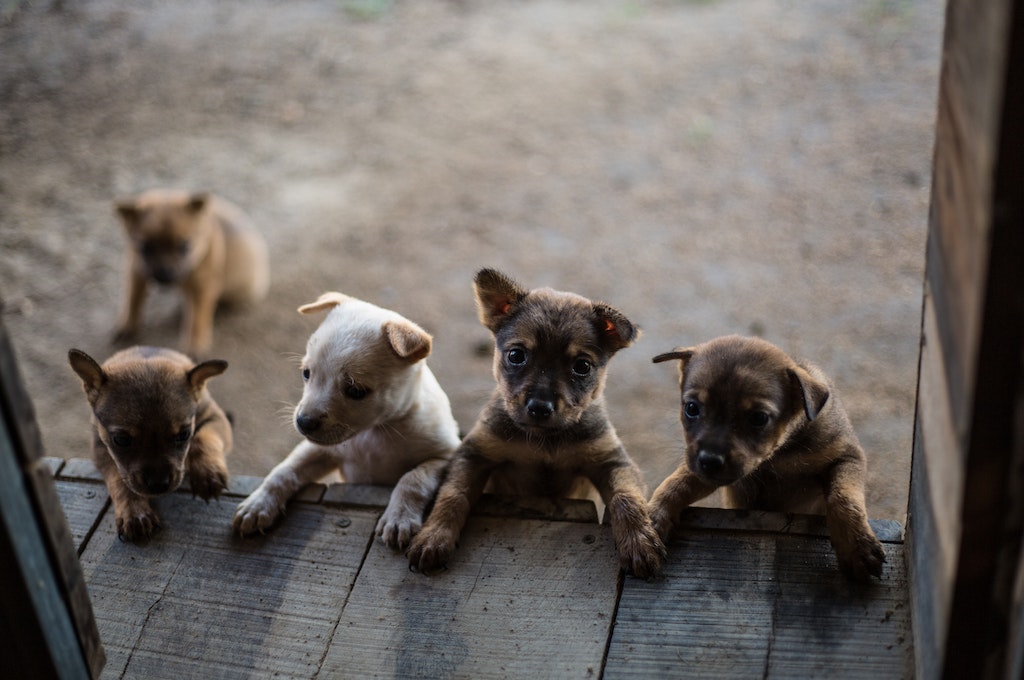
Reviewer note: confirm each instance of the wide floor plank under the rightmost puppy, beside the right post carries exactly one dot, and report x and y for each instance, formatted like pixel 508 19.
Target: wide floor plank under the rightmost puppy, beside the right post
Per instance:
pixel 758 606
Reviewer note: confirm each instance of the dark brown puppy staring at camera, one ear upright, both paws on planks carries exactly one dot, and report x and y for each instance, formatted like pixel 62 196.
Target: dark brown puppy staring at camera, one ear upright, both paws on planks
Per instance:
pixel 545 431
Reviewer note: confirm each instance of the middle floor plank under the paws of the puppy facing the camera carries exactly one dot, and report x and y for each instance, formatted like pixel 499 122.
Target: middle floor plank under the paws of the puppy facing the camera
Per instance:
pixel 521 599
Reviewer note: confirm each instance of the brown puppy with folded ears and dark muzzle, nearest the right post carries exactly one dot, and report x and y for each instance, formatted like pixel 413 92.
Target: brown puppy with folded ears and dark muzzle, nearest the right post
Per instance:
pixel 774 434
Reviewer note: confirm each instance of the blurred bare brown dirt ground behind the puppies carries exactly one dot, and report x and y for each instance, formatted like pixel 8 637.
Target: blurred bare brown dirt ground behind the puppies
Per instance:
pixel 708 167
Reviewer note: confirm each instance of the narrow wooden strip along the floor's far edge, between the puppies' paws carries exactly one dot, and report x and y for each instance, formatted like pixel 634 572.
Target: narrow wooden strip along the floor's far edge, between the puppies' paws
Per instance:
pixel 366 496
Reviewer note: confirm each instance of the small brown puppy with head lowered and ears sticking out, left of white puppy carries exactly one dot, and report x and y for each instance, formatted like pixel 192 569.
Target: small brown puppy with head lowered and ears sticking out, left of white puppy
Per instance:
pixel 154 421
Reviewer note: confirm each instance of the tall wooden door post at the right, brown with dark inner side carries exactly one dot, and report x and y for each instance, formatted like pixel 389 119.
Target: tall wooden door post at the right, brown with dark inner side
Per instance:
pixel 967 497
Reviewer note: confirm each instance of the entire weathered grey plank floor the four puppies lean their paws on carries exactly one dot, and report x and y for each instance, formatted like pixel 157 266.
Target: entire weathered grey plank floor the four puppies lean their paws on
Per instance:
pixel 534 592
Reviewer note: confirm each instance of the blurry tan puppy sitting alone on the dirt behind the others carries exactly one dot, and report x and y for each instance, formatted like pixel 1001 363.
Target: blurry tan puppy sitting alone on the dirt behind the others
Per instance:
pixel 200 243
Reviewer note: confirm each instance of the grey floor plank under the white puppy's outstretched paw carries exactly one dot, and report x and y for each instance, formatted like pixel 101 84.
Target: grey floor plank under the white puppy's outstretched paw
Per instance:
pixel 198 602
